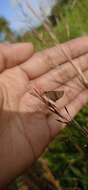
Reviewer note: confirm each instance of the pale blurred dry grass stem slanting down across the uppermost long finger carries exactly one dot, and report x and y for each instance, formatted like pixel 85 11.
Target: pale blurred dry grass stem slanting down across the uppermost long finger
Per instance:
pixel 54 38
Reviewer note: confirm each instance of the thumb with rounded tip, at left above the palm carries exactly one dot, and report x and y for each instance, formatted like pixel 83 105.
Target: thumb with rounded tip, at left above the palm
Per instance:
pixel 14 54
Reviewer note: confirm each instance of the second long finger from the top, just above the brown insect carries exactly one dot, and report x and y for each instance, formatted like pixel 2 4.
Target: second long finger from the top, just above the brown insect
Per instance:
pixel 63 73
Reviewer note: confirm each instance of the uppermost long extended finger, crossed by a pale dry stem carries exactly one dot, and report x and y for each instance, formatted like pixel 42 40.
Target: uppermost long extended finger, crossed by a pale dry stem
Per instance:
pixel 44 61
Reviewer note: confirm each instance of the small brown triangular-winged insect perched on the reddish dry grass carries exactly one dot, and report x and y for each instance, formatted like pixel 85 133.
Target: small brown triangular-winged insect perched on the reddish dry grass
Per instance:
pixel 54 95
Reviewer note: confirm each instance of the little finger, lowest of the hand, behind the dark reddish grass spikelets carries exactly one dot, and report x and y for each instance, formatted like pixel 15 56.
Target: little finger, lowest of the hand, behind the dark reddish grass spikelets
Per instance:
pixel 73 108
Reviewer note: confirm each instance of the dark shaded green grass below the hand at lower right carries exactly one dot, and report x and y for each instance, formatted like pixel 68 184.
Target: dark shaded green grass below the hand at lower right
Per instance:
pixel 68 156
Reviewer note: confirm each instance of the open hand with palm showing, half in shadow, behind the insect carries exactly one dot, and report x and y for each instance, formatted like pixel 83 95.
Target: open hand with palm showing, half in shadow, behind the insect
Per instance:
pixel 26 127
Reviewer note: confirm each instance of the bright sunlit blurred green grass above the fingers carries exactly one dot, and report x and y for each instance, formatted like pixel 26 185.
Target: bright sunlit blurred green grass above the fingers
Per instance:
pixel 76 24
